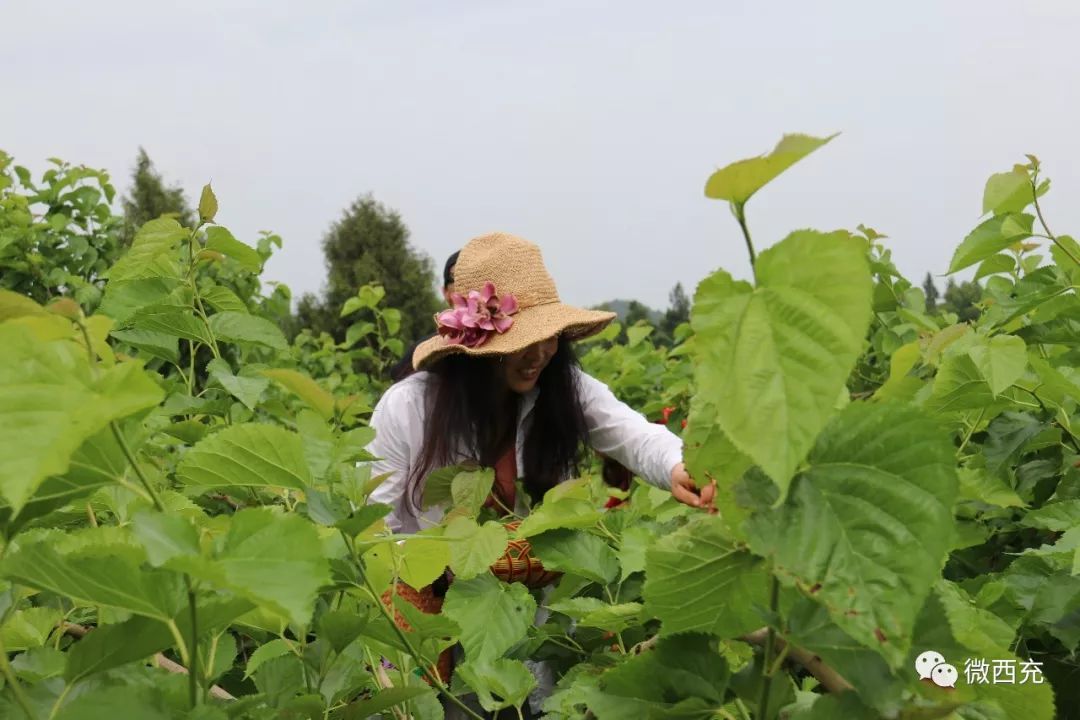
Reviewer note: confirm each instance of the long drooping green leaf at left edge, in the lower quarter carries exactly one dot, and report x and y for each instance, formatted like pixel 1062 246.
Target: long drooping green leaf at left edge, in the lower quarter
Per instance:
pixel 114 581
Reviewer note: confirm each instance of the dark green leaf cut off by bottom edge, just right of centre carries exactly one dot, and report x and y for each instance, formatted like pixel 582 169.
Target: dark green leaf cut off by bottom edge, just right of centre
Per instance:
pixel 682 678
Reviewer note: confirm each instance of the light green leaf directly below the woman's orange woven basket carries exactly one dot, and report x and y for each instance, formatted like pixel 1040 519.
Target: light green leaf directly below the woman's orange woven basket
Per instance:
pixel 494 617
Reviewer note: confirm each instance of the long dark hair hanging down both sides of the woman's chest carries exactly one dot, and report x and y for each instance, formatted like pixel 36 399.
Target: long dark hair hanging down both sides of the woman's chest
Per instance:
pixel 464 413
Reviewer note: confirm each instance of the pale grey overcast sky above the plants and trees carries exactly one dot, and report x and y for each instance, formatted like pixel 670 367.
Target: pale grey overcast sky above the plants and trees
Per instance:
pixel 587 127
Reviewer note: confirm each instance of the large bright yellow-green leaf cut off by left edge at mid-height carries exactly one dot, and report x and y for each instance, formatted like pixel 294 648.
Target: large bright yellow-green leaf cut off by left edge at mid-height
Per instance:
pixel 49 406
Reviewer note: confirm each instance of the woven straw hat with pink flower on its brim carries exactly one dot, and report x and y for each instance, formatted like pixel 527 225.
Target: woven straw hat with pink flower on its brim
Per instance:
pixel 506 301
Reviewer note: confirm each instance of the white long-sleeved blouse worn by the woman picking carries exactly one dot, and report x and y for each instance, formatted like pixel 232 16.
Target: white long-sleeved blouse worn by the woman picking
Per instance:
pixel 649 450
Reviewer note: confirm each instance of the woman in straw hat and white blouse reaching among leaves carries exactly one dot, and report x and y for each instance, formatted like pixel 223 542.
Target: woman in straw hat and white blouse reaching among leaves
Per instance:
pixel 501 386
